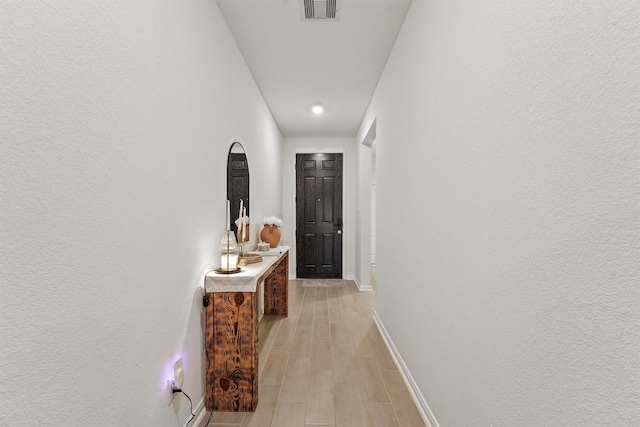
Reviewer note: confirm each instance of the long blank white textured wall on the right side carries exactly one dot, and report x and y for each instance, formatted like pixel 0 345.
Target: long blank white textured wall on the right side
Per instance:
pixel 508 162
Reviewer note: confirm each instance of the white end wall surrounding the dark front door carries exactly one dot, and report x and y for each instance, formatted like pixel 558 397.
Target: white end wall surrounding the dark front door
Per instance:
pixel 347 146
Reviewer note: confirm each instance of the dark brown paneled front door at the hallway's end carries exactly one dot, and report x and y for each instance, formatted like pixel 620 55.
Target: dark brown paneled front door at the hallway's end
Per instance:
pixel 319 215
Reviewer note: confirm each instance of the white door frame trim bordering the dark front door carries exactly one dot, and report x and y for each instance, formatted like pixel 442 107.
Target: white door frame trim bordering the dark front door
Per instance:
pixel 345 227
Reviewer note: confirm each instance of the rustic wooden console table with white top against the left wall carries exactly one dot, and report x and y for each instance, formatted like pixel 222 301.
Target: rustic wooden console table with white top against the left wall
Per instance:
pixel 231 334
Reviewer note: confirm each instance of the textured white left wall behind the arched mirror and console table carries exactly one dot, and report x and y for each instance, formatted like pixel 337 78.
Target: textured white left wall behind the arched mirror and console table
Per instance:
pixel 115 122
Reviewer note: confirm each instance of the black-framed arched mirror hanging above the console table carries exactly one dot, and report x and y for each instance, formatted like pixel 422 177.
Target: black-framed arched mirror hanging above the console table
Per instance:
pixel 237 182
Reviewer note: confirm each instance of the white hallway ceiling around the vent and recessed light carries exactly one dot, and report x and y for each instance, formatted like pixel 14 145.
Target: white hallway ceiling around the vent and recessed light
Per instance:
pixel 297 62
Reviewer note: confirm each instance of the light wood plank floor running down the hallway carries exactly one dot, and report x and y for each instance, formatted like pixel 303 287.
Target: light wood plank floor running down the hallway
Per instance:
pixel 326 364
